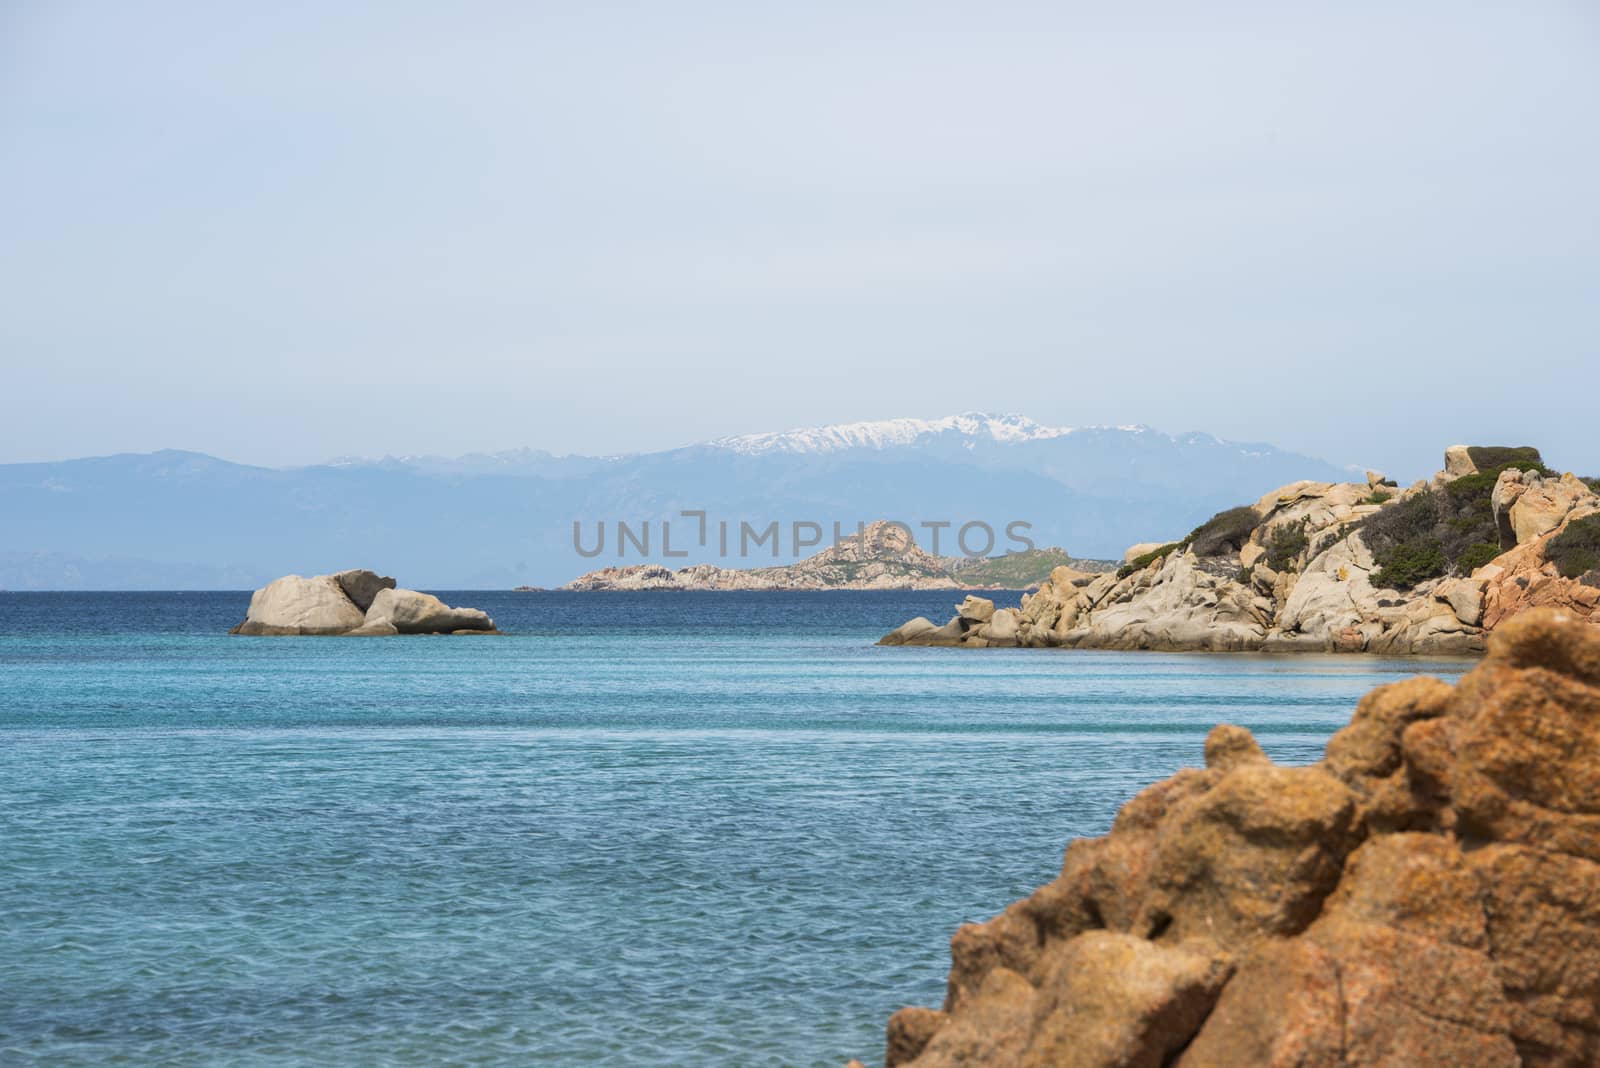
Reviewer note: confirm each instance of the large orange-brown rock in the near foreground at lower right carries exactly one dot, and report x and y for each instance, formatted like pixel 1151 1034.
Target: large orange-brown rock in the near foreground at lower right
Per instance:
pixel 1428 895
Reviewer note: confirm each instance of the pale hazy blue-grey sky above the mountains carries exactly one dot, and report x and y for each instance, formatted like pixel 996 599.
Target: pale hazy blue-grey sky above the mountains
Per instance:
pixel 297 231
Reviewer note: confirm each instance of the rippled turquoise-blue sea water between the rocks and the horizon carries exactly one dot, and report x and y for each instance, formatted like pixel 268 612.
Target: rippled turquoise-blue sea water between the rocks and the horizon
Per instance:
pixel 641 831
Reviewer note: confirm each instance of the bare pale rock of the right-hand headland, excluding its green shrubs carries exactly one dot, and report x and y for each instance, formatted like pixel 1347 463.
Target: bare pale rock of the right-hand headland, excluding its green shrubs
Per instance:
pixel 1302 583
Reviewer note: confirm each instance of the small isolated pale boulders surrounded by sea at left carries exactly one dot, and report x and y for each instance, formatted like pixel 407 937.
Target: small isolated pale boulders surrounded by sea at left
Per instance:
pixel 356 605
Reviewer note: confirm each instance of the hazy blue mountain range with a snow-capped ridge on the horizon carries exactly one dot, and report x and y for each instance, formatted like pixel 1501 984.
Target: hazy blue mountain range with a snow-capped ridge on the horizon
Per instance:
pixel 186 520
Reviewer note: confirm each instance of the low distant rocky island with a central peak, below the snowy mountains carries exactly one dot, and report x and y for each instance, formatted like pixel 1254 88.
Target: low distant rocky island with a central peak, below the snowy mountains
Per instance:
pixel 882 557
